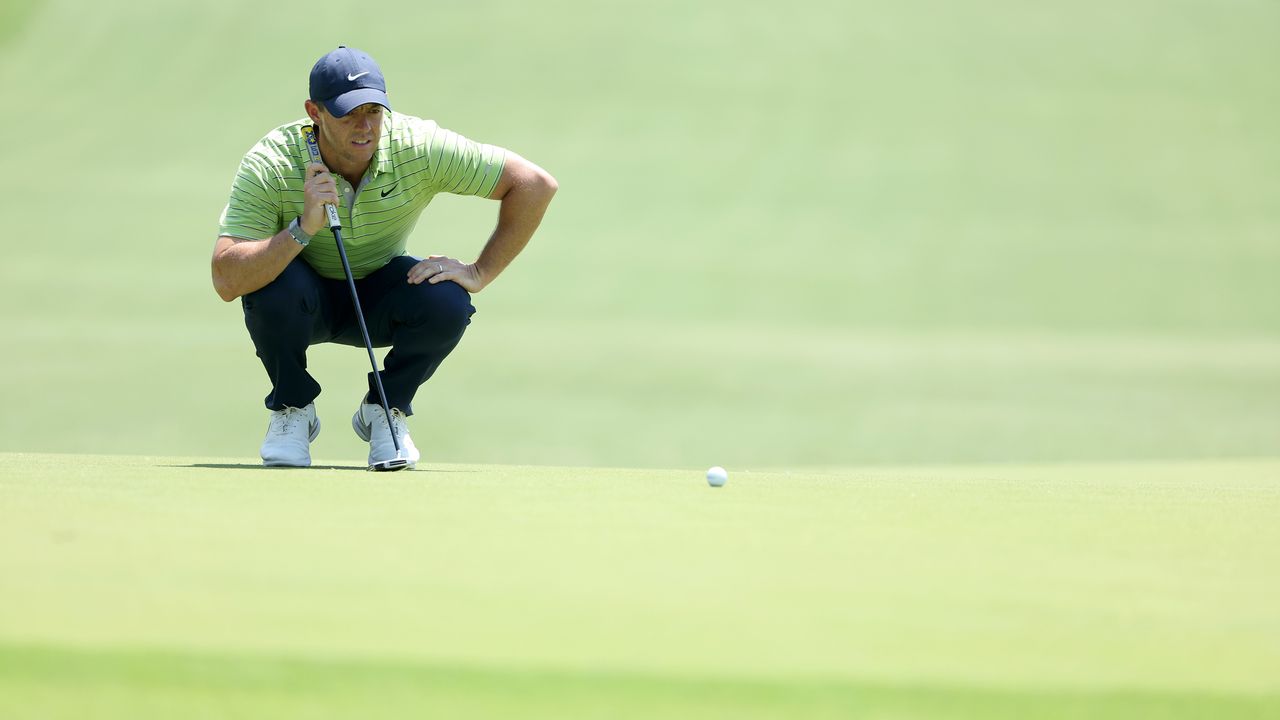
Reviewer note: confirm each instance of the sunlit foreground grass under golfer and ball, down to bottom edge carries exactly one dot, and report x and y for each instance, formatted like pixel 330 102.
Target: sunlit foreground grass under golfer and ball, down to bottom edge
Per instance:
pixel 1104 591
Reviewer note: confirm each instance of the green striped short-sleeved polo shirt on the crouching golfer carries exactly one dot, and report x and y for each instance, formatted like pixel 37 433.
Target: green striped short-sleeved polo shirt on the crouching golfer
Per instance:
pixel 414 162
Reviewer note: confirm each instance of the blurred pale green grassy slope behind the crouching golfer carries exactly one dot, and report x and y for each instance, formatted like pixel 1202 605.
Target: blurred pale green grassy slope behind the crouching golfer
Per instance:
pixel 788 234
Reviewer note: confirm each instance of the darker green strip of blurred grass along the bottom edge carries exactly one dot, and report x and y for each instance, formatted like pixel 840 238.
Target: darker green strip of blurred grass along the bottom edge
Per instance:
pixel 115 682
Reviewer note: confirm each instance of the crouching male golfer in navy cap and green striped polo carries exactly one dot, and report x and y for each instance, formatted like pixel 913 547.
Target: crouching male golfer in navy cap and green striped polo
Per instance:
pixel 381 170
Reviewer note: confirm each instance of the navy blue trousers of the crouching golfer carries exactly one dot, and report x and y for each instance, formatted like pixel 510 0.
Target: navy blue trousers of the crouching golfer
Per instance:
pixel 422 325
